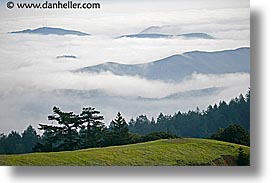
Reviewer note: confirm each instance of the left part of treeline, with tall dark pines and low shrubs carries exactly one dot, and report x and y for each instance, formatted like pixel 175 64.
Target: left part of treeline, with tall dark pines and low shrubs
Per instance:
pixel 69 131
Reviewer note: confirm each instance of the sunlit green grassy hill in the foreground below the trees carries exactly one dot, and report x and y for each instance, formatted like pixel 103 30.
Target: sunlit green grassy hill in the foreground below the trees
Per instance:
pixel 176 152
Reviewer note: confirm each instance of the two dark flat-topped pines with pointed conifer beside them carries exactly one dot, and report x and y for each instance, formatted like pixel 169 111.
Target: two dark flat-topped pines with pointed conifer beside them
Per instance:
pixel 70 131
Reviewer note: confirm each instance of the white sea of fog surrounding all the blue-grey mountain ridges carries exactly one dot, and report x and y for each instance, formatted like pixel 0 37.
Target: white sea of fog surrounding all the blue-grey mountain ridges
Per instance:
pixel 30 72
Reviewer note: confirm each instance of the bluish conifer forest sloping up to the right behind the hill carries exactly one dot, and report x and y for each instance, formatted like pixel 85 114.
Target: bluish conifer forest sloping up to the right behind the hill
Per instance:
pixel 198 123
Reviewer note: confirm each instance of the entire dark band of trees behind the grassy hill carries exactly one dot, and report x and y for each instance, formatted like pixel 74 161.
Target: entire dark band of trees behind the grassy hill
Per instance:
pixel 70 131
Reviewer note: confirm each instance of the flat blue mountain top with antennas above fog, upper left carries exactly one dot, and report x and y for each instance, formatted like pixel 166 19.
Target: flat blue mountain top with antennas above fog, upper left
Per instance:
pixel 50 30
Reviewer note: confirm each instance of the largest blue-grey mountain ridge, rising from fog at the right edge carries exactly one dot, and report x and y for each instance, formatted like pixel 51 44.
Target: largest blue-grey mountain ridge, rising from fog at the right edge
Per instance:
pixel 176 67
